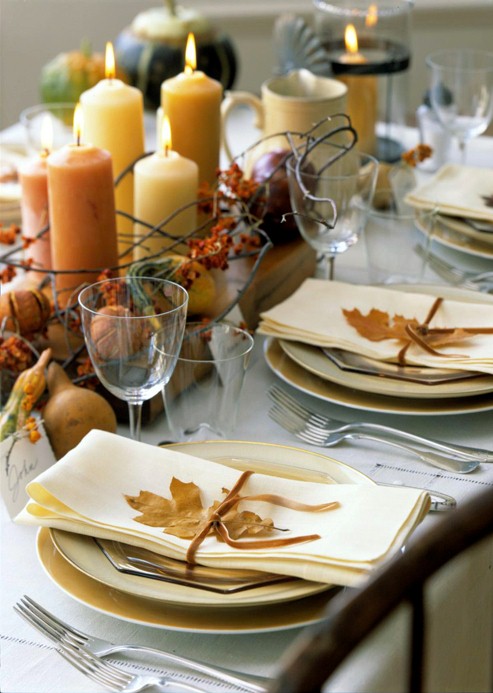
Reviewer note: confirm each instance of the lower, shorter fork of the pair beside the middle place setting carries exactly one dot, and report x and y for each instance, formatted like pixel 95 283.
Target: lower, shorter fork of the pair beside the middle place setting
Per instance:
pixel 325 437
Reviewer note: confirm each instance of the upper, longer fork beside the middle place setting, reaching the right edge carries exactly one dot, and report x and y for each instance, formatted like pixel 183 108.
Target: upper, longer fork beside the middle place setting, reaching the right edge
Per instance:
pixel 288 403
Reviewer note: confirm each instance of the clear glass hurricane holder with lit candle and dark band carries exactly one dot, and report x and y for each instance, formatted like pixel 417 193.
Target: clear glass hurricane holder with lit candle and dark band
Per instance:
pixel 368 45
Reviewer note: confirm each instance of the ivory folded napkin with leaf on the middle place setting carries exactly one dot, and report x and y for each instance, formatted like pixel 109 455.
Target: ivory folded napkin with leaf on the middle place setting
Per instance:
pixel 314 315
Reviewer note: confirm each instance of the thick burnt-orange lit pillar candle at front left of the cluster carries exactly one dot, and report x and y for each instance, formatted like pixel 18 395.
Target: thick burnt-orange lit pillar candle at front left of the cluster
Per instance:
pixel 82 213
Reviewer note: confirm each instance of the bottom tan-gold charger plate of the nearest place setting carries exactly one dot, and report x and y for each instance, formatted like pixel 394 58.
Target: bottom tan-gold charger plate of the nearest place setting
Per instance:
pixel 150 612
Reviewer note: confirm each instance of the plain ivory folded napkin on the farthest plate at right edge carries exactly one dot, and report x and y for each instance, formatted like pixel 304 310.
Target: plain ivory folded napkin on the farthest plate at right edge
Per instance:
pixel 457 190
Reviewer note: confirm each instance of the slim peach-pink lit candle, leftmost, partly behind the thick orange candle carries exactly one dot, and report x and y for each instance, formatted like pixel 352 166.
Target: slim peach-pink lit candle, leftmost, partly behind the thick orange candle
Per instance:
pixel 33 178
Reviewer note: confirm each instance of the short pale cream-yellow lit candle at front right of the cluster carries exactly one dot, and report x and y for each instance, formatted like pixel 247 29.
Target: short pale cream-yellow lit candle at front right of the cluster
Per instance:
pixel 164 183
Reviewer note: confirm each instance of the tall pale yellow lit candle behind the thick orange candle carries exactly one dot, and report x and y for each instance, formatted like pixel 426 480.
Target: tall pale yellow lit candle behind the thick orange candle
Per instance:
pixel 114 120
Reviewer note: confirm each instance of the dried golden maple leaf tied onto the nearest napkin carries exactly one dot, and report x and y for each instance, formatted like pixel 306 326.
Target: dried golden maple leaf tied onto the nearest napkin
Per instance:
pixel 183 514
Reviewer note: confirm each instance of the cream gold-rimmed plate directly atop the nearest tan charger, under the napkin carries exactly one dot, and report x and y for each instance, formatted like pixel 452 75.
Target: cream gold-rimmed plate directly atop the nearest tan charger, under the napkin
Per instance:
pixel 278 460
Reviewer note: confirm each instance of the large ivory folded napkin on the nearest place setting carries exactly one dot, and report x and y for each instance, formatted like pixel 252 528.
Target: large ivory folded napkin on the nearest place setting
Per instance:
pixel 85 493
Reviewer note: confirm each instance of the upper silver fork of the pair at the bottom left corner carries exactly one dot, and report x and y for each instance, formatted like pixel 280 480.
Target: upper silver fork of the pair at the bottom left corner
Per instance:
pixel 63 634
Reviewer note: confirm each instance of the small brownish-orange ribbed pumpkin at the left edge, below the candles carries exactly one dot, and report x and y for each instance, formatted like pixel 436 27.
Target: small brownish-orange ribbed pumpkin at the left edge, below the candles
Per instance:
pixel 25 311
